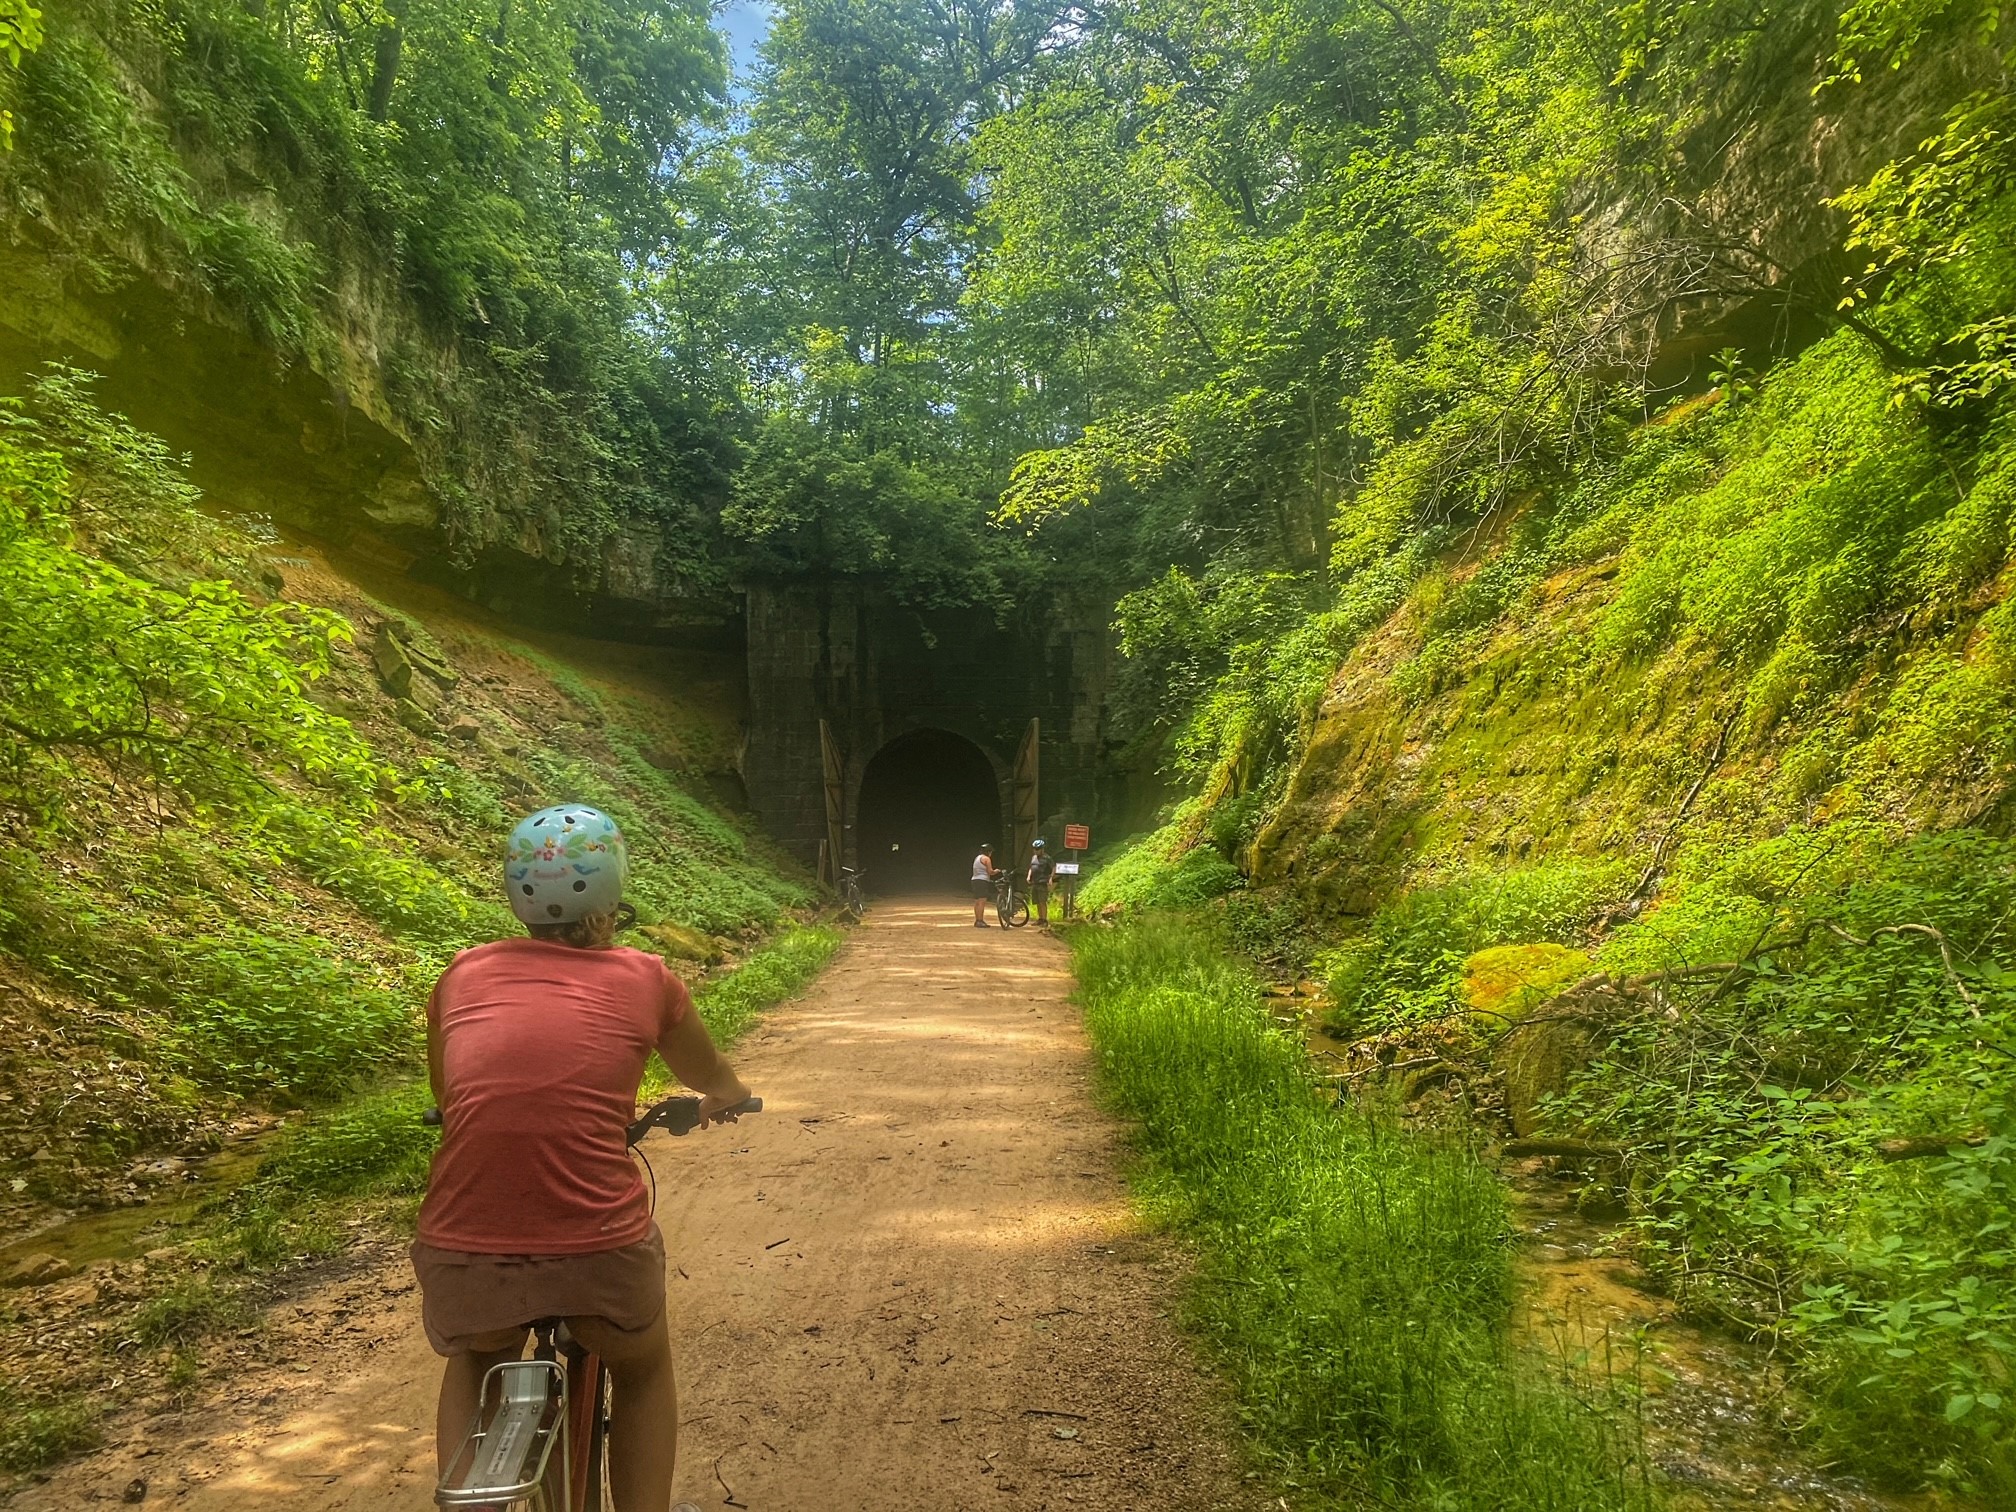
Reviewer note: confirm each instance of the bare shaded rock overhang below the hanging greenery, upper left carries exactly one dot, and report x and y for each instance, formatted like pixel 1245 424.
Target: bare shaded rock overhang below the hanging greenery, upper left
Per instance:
pixel 326 447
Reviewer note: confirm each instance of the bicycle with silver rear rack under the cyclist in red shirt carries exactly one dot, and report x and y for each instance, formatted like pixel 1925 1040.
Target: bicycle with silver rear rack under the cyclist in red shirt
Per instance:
pixel 541 1432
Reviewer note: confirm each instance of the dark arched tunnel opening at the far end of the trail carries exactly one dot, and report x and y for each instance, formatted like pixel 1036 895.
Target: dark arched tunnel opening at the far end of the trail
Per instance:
pixel 934 797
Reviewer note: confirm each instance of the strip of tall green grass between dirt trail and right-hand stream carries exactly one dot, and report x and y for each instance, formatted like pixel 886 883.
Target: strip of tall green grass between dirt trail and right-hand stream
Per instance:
pixel 1356 1279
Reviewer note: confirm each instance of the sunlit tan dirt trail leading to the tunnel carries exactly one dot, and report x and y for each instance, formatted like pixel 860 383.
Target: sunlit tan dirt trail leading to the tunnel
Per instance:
pixel 912 1283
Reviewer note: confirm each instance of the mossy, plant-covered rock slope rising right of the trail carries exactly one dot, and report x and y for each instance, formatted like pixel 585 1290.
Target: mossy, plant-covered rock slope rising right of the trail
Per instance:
pixel 1773 628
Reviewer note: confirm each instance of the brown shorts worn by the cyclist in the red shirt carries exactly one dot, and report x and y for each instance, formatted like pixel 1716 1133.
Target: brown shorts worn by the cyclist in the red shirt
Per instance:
pixel 471 1295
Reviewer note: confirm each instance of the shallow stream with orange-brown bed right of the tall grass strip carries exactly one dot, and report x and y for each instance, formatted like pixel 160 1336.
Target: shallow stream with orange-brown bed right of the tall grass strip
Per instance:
pixel 1713 1406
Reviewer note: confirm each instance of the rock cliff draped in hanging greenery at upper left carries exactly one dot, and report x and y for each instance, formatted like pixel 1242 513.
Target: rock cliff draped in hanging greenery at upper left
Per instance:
pixel 207 249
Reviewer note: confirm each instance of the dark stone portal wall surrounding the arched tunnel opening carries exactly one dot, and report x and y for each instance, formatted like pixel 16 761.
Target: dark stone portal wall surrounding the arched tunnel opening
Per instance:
pixel 878 670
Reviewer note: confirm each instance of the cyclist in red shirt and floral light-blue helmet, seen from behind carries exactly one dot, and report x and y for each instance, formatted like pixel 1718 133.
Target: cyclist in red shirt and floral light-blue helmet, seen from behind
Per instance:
pixel 535 1051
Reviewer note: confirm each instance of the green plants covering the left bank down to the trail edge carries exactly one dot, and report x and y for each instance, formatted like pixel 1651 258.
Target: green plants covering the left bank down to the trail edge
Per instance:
pixel 235 868
